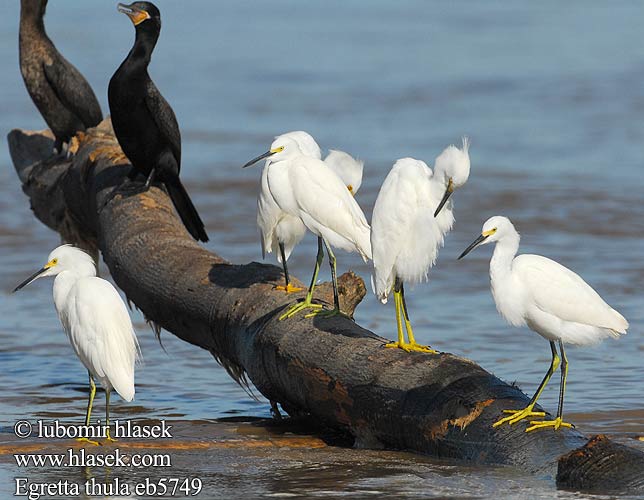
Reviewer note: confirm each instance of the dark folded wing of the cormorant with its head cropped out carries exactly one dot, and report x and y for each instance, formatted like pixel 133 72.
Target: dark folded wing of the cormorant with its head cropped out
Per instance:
pixel 73 91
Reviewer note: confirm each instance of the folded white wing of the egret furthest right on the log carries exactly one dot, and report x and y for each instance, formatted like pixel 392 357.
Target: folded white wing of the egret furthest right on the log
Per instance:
pixel 561 292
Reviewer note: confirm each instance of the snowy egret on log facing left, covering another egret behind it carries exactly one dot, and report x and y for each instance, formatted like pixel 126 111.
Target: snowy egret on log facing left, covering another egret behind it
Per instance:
pixel 306 188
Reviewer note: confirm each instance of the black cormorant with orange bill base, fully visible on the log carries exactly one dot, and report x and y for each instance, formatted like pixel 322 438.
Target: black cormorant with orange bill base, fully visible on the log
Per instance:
pixel 144 122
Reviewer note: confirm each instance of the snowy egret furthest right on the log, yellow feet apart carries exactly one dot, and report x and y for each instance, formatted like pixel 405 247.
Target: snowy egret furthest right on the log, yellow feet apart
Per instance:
pixel 553 301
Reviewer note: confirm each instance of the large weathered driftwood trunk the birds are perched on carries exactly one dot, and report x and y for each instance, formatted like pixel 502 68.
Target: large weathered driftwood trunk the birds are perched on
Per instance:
pixel 441 405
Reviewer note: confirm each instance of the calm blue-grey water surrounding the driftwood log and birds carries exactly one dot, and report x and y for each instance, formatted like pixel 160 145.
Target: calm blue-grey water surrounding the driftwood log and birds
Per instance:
pixel 550 95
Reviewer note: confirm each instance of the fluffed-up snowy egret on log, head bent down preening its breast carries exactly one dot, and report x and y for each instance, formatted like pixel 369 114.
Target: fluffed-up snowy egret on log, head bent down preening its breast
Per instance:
pixel 410 219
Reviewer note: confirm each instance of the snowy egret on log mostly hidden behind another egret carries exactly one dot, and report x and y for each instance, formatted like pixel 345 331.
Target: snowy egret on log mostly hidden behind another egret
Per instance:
pixel 281 228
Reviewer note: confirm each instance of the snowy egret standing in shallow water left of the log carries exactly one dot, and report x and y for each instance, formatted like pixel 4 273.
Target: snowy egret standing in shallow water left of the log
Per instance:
pixel 96 322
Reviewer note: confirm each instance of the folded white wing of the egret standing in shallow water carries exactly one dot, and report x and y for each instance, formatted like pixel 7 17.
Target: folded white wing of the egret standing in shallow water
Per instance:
pixel 101 332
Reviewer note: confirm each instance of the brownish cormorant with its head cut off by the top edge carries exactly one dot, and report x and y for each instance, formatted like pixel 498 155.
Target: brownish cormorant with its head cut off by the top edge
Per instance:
pixel 62 95
